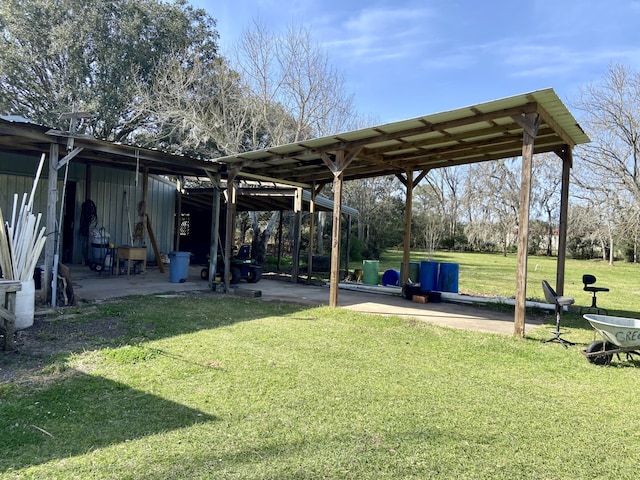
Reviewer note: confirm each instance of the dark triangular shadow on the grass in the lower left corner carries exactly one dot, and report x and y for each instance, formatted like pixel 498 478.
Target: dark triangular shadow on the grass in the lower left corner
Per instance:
pixel 78 414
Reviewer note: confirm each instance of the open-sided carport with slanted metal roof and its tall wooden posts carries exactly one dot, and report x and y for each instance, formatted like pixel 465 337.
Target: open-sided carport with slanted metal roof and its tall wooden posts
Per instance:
pixel 517 126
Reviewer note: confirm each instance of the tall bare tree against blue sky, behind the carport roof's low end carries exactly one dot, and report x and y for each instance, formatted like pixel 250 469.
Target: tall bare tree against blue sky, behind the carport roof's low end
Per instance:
pixel 293 71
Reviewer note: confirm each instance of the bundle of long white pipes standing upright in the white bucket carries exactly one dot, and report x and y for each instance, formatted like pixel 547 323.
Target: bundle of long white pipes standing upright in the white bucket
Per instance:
pixel 22 239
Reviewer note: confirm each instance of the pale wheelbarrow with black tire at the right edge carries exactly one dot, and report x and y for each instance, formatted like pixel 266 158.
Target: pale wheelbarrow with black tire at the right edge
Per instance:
pixel 619 335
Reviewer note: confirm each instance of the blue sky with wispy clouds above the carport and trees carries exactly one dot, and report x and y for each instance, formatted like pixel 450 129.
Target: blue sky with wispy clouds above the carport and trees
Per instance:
pixel 406 58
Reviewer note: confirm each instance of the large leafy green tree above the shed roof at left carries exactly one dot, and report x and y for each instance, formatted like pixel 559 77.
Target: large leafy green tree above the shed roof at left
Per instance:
pixel 57 54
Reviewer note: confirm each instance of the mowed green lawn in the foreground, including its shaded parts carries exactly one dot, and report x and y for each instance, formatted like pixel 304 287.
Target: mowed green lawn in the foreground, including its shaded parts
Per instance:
pixel 222 387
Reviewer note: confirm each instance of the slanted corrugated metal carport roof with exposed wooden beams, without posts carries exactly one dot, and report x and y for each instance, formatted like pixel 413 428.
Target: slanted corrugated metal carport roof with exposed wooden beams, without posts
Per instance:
pixel 487 131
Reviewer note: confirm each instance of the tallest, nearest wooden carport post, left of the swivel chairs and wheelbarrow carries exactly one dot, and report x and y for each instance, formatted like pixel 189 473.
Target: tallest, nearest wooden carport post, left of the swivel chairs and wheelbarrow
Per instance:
pixel 530 123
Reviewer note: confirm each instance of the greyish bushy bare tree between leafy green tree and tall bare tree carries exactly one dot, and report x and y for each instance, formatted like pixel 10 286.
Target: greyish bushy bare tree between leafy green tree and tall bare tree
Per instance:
pixel 196 107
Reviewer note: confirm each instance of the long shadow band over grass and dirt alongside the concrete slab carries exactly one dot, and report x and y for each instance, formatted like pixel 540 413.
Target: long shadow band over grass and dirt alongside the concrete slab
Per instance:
pixel 127 321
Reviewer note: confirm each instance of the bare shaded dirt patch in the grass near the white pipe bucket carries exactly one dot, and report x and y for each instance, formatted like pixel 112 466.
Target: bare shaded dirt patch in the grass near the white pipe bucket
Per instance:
pixel 49 338
